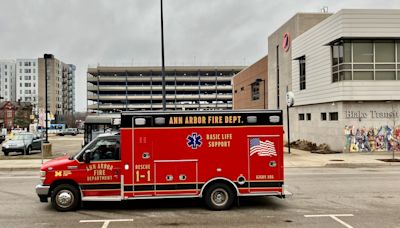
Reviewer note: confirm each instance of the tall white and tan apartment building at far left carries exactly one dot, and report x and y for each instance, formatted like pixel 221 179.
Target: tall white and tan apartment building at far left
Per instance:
pixel 23 80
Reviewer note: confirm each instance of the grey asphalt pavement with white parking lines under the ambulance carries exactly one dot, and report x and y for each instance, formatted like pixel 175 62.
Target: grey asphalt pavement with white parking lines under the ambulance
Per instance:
pixel 322 197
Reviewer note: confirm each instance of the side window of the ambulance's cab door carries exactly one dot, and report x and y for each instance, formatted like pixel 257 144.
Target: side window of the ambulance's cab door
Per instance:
pixel 105 150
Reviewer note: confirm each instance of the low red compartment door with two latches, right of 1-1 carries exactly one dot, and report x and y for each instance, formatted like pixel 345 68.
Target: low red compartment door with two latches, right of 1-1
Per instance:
pixel 176 177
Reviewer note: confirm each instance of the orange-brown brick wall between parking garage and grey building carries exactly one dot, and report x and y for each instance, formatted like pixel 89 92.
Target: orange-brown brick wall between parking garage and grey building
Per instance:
pixel 249 86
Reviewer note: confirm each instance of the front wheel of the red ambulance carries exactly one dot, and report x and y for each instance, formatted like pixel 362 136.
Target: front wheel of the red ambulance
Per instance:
pixel 62 202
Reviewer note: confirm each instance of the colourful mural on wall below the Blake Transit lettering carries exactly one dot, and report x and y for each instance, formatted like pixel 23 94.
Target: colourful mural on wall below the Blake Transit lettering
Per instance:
pixel 364 139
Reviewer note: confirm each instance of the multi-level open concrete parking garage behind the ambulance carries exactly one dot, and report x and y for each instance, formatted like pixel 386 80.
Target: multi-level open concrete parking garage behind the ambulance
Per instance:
pixel 113 89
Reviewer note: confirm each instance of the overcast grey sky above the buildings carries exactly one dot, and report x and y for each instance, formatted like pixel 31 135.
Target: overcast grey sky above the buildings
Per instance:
pixel 112 32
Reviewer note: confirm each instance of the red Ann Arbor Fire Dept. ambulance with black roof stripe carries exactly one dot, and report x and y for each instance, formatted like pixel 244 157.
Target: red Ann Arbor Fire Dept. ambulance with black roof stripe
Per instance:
pixel 218 156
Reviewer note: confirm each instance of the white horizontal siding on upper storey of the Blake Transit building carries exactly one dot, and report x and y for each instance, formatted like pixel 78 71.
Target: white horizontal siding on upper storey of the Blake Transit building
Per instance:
pixel 312 44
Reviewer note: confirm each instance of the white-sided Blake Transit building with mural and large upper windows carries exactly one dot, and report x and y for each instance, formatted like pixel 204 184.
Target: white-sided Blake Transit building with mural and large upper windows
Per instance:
pixel 346 79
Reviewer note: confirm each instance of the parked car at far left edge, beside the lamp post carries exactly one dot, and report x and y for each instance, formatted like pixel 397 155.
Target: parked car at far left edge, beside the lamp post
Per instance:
pixel 23 142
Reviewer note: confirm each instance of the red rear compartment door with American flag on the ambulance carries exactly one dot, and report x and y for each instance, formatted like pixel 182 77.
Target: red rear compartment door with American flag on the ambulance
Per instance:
pixel 265 163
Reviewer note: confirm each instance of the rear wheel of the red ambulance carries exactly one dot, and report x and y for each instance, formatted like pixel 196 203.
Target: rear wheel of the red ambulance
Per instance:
pixel 219 196
